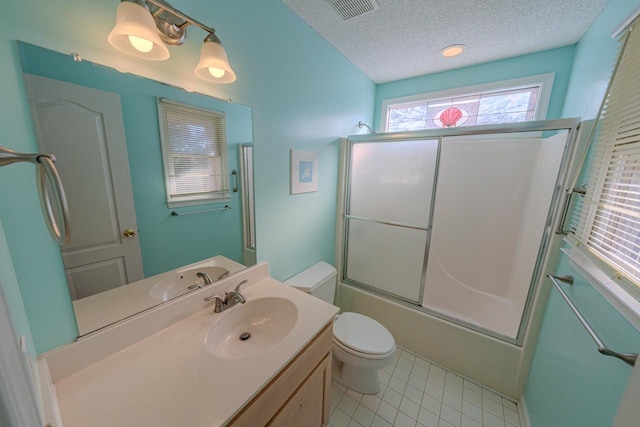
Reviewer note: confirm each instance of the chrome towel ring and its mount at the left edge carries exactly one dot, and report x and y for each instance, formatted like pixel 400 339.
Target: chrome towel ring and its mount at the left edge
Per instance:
pixel 55 209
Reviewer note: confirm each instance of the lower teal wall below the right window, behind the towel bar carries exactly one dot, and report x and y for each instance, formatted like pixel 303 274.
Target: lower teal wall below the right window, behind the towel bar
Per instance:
pixel 570 384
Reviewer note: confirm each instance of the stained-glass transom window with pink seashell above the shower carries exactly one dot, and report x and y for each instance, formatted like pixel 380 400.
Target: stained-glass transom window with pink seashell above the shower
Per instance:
pixel 501 102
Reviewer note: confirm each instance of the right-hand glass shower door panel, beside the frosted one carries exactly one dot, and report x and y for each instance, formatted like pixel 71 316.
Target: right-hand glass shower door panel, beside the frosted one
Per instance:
pixel 491 213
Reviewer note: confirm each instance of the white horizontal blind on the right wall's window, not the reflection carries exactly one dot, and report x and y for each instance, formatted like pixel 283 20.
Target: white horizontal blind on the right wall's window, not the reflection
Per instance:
pixel 607 218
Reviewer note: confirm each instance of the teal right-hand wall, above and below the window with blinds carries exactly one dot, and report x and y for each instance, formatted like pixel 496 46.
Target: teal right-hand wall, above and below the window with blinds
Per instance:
pixel 570 384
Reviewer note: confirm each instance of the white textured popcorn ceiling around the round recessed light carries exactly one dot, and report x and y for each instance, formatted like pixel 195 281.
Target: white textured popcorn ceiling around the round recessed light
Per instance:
pixel 403 38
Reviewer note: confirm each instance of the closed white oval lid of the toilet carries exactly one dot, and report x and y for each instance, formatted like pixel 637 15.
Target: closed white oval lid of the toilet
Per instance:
pixel 362 334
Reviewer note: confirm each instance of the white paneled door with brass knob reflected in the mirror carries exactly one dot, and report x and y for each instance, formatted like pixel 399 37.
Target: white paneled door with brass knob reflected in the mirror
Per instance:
pixel 83 128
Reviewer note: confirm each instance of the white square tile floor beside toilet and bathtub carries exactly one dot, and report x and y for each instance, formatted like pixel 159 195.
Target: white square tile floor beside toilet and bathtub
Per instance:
pixel 417 393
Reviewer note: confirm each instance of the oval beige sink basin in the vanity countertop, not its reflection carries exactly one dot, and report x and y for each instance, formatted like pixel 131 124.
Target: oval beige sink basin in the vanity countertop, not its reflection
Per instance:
pixel 246 330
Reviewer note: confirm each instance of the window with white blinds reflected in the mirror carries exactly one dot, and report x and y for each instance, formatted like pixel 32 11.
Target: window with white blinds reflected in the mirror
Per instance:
pixel 194 150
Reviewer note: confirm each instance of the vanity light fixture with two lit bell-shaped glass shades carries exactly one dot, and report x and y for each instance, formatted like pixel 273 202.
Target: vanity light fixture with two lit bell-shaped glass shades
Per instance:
pixel 144 28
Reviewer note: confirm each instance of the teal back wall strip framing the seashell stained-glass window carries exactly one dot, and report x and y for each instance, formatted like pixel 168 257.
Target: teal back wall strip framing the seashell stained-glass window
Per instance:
pixel 558 61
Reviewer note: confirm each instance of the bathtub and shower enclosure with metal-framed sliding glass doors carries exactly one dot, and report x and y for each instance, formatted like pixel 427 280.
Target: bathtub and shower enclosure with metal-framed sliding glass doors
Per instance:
pixel 485 245
